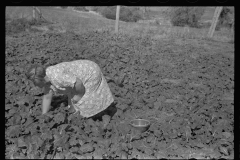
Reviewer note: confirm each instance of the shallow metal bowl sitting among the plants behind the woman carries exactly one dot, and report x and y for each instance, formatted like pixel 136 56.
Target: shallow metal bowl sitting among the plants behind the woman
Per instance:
pixel 141 125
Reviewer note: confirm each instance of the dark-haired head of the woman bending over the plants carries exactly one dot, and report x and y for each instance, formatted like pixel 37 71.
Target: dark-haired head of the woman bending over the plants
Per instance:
pixel 35 73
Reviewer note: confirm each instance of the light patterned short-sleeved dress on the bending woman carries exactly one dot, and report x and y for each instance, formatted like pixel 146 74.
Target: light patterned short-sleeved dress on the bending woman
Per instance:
pixel 97 95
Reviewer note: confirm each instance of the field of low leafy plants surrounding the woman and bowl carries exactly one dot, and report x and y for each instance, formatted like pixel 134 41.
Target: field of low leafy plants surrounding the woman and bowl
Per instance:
pixel 184 87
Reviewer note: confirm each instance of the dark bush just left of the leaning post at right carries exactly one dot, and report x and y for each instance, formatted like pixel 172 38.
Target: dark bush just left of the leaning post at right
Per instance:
pixel 182 16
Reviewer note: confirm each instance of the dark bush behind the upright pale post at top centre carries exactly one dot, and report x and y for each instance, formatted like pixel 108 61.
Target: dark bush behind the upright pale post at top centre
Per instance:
pixel 127 14
